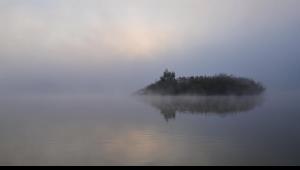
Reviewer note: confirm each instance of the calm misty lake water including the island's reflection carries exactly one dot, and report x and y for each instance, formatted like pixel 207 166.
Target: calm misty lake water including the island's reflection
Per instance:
pixel 89 130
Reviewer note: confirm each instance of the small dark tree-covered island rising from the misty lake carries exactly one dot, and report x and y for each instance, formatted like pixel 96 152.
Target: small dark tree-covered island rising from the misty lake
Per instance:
pixel 218 85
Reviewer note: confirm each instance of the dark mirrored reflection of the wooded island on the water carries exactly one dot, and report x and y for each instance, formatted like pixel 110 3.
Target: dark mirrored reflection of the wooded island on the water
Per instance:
pixel 222 105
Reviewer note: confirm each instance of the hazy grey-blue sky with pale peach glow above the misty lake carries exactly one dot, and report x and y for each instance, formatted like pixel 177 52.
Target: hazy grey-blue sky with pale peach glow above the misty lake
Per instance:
pixel 119 46
